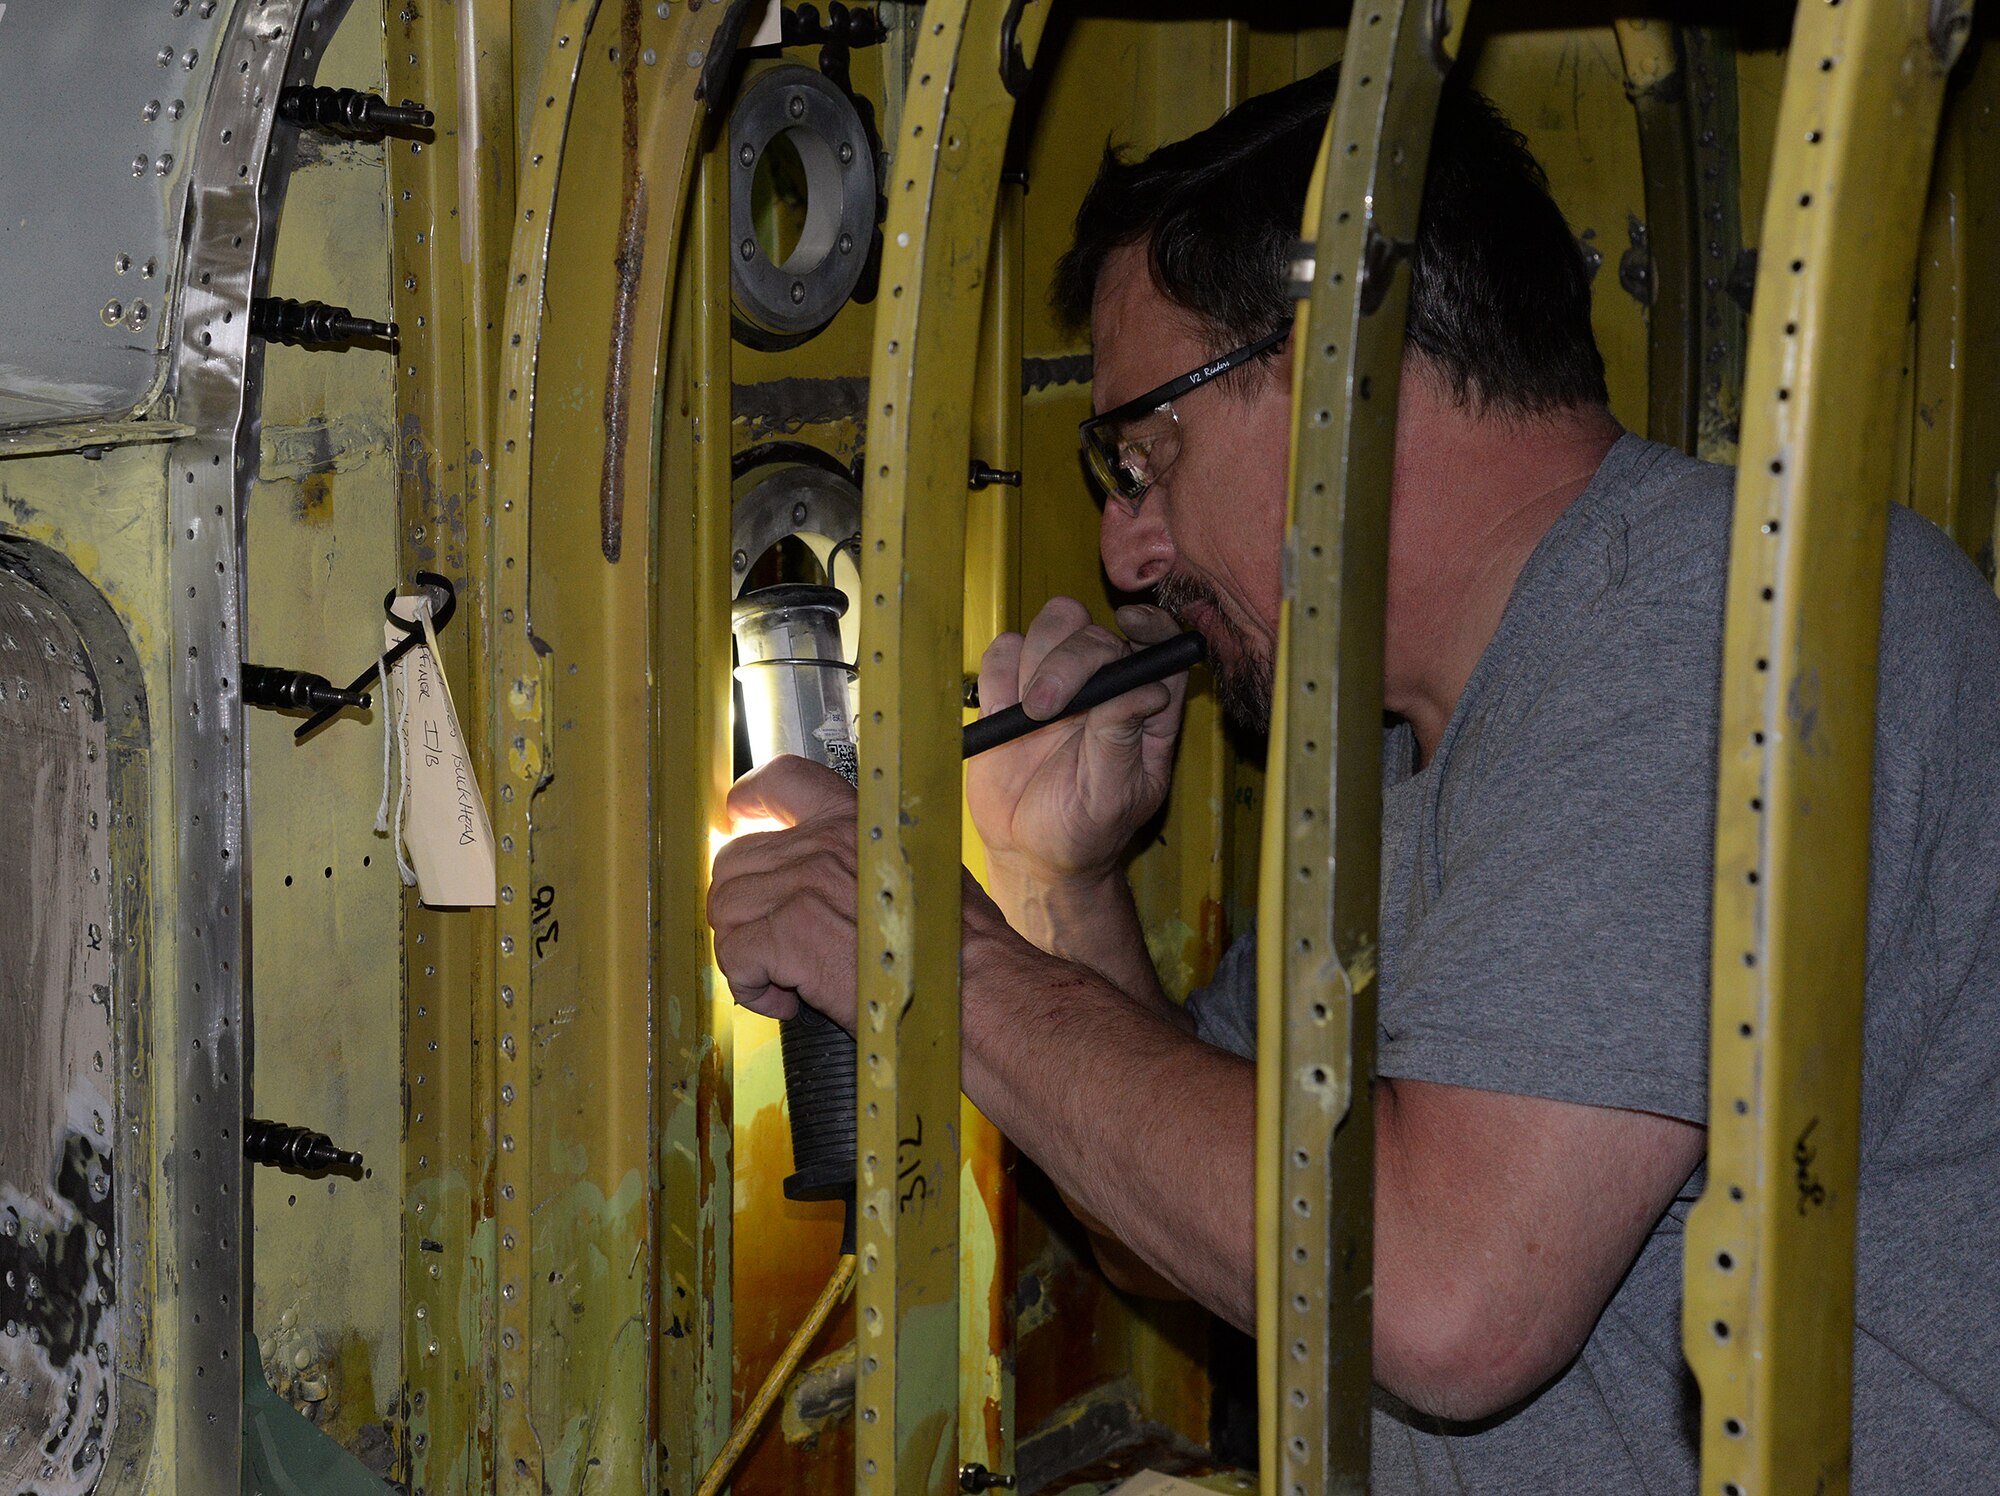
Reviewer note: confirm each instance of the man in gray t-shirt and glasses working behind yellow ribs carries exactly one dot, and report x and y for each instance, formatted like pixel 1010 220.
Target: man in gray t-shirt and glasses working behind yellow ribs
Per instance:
pixel 1553 659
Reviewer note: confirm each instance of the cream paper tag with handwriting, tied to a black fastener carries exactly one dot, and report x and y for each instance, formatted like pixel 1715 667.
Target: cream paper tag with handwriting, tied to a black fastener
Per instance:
pixel 445 821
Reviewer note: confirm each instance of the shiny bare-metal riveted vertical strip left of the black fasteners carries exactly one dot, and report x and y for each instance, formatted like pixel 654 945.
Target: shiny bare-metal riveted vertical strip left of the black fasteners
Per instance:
pixel 239 185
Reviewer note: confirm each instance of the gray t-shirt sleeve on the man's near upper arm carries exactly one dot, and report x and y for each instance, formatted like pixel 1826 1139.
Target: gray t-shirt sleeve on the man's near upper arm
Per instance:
pixel 1563 945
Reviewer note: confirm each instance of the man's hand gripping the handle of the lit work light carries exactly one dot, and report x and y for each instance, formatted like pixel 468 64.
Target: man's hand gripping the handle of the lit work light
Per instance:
pixel 783 901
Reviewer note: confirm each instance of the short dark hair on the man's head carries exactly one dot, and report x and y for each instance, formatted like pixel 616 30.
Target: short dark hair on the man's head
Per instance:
pixel 1499 291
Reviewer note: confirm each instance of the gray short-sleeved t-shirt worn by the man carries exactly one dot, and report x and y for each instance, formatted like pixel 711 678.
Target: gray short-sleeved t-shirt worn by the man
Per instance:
pixel 1547 889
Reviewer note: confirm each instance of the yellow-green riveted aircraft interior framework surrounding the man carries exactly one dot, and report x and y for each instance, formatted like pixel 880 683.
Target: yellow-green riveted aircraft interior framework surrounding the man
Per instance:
pixel 447 443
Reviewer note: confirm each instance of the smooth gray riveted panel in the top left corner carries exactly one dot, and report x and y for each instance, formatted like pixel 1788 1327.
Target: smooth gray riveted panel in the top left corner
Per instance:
pixel 105 101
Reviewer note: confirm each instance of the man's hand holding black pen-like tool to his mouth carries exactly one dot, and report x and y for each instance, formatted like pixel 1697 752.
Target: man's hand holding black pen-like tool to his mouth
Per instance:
pixel 1061 805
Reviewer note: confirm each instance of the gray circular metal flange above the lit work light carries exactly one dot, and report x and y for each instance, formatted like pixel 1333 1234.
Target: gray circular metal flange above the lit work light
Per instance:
pixel 821 273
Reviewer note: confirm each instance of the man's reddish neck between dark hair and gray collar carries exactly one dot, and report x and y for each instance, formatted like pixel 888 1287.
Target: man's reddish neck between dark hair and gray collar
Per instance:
pixel 1475 495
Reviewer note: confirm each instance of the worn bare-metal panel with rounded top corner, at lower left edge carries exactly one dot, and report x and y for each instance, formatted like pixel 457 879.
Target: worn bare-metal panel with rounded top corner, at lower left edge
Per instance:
pixel 59 1121
